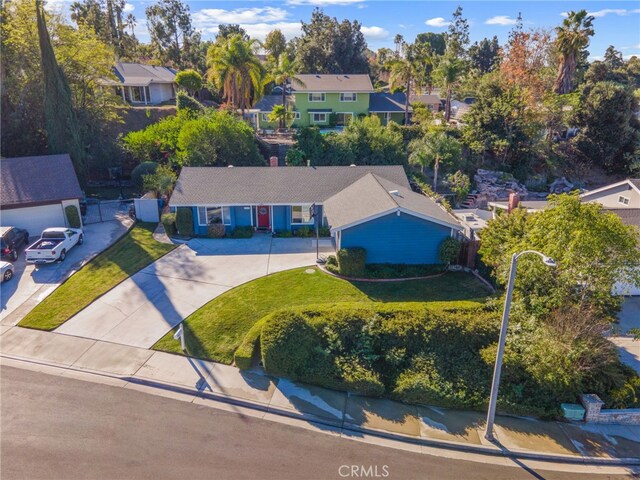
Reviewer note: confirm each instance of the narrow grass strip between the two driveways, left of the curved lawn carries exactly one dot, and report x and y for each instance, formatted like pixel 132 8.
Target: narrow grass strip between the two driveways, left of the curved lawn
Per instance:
pixel 131 253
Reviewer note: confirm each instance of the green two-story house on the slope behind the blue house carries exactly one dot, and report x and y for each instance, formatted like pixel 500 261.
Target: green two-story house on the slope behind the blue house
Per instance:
pixel 328 100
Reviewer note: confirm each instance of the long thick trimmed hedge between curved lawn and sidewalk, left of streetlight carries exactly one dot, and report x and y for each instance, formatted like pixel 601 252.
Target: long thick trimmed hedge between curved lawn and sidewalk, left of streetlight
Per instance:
pixel 410 353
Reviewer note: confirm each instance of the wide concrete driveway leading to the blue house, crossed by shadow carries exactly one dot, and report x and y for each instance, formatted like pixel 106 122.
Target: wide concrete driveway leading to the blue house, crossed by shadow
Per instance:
pixel 143 308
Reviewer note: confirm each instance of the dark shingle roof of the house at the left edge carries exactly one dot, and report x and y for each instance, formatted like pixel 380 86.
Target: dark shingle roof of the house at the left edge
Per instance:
pixel 29 181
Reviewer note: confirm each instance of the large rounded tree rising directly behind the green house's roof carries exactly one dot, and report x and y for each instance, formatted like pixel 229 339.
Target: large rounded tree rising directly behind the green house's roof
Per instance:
pixel 329 46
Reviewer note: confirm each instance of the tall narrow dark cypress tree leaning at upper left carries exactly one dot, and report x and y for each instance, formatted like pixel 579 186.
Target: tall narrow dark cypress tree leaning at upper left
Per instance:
pixel 61 122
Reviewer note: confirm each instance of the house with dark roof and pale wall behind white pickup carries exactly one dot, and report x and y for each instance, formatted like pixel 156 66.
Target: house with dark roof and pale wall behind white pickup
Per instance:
pixel 36 190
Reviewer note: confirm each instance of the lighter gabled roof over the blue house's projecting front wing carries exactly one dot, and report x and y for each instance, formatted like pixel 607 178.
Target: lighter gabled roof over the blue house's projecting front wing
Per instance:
pixel 372 195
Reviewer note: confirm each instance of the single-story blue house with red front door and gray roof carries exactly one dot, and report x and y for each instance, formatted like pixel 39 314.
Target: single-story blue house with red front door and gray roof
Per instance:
pixel 365 206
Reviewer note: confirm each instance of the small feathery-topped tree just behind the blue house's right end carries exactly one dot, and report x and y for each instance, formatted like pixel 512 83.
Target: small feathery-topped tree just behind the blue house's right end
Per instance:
pixel 435 148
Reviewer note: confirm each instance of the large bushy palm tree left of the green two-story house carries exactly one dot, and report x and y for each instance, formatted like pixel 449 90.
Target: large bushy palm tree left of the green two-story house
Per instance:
pixel 235 68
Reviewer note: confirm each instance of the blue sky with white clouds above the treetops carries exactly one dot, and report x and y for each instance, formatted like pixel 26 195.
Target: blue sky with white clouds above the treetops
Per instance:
pixel 617 22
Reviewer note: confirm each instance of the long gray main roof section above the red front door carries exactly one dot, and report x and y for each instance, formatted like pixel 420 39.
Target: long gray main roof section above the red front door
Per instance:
pixel 271 185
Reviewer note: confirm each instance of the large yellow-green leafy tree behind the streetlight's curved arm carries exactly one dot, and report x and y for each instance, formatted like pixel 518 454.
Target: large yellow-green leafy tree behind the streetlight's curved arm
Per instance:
pixel 593 250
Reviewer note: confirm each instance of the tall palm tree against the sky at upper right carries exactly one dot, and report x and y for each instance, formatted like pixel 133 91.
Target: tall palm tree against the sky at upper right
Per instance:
pixel 572 38
